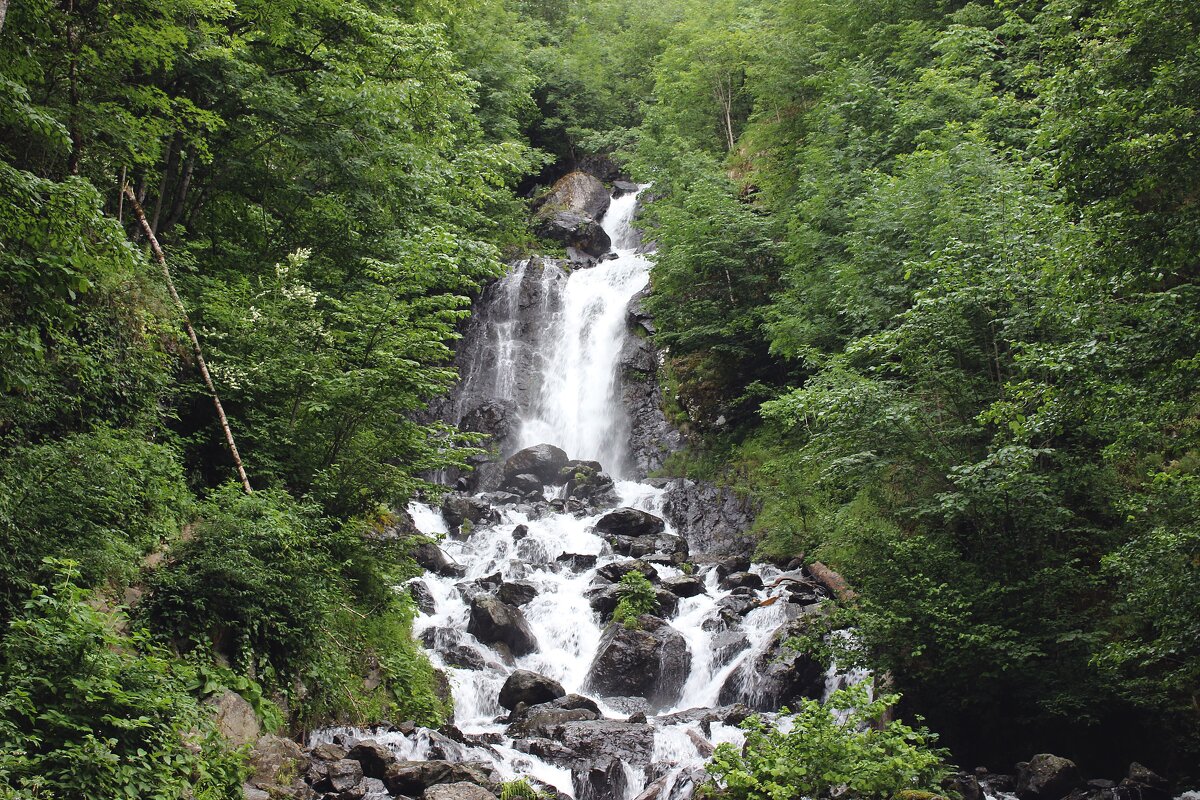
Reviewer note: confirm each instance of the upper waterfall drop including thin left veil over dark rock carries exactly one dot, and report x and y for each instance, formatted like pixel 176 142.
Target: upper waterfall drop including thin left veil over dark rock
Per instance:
pixel 550 357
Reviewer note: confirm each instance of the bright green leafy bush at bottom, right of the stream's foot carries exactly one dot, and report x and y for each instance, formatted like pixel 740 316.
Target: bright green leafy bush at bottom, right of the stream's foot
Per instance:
pixel 830 751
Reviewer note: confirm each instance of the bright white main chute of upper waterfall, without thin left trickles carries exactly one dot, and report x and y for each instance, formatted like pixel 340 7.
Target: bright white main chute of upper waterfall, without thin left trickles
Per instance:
pixel 578 407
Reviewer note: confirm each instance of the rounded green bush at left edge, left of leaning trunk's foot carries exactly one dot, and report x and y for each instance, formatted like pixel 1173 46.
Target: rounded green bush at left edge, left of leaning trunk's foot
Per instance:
pixel 103 500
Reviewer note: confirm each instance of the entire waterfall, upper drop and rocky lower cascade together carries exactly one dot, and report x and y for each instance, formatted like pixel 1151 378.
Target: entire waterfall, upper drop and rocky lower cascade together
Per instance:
pixel 519 601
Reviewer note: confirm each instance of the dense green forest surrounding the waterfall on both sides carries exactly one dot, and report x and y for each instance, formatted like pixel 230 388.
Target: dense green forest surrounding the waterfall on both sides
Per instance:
pixel 927 285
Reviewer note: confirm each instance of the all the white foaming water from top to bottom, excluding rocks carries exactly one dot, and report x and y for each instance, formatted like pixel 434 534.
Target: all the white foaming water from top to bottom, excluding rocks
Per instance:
pixel 578 410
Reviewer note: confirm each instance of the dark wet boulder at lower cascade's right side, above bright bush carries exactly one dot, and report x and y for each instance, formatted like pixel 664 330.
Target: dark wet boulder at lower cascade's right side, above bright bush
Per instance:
pixel 778 677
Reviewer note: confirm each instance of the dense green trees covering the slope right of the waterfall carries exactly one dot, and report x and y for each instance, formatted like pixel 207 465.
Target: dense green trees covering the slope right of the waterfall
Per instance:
pixel 957 250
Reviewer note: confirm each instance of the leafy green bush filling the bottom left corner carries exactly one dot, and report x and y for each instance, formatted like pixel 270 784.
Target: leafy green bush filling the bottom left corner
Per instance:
pixel 92 715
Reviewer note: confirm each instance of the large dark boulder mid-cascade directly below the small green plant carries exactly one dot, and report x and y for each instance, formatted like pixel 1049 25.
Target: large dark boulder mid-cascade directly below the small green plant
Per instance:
pixel 651 663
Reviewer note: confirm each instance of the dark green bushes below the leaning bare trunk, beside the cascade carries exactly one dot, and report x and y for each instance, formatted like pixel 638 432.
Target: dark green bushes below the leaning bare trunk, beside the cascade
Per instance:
pixel 301 603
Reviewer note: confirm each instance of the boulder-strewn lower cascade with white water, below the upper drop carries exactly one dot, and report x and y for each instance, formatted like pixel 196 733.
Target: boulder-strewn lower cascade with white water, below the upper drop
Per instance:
pixel 517 609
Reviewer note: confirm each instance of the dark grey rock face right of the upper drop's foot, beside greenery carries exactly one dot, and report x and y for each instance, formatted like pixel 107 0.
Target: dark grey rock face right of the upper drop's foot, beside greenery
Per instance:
pixel 715 521
